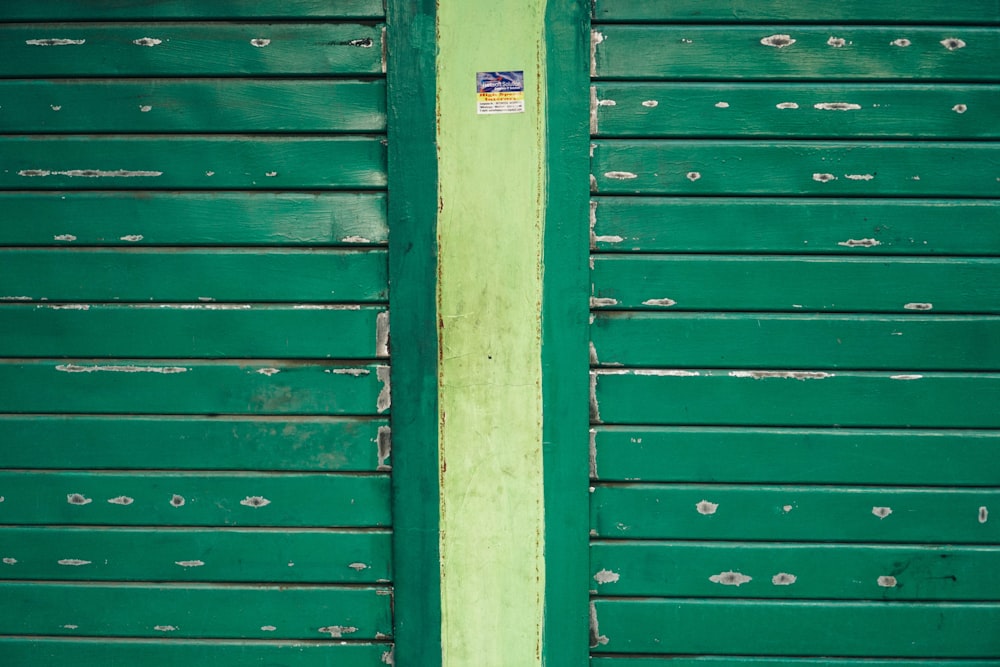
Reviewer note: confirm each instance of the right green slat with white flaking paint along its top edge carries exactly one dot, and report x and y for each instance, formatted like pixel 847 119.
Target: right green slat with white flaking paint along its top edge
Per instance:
pixel 797 398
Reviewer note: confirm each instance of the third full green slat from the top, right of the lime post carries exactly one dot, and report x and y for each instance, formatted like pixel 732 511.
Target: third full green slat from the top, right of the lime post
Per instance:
pixel 796 168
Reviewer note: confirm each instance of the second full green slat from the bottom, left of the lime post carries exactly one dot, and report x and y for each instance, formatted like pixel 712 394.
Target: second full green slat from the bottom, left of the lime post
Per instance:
pixel 231 555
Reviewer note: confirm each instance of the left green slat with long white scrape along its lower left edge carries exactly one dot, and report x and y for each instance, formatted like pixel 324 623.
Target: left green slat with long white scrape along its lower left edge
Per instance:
pixel 211 162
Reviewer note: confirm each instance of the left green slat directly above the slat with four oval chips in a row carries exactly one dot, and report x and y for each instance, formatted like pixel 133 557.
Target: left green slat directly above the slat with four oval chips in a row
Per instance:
pixel 320 444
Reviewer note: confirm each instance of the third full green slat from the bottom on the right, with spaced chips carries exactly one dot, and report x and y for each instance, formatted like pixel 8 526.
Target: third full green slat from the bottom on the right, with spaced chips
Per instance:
pixel 794 513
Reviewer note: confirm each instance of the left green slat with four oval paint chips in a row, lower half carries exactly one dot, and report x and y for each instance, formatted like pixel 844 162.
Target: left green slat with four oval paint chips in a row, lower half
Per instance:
pixel 193 499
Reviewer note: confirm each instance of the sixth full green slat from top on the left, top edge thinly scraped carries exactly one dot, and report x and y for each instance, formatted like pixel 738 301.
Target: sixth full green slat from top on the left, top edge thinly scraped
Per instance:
pixel 193 331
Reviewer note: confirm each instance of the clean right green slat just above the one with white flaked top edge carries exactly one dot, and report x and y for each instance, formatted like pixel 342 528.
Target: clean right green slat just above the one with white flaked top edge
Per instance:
pixel 768 340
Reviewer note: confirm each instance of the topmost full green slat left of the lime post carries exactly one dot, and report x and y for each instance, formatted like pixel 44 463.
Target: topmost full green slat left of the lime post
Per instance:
pixel 189 49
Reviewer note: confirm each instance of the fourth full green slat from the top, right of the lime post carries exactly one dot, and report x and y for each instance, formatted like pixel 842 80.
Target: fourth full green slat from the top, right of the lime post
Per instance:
pixel 787 225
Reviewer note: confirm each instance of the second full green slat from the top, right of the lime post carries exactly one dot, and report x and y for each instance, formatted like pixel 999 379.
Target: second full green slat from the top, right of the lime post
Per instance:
pixel 751 110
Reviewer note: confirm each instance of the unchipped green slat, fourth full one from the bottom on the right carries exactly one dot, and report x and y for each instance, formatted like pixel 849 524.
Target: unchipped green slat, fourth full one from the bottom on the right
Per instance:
pixel 797 456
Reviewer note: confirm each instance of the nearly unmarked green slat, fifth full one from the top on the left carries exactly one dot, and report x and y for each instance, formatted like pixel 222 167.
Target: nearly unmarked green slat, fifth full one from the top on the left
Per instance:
pixel 193 275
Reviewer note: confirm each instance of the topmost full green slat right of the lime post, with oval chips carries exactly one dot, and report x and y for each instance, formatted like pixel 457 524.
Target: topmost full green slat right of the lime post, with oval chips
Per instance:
pixel 737 52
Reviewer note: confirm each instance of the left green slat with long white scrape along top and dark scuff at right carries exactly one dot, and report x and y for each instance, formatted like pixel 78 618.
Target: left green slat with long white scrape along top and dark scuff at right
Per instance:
pixel 170 387
